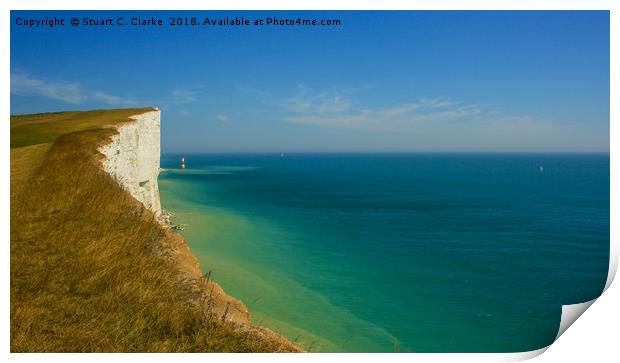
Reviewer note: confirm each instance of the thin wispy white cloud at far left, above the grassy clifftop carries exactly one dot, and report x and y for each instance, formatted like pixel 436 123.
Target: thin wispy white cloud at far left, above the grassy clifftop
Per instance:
pixel 25 84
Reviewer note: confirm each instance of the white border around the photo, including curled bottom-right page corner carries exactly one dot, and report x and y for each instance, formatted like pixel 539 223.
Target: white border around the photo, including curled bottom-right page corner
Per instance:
pixel 594 338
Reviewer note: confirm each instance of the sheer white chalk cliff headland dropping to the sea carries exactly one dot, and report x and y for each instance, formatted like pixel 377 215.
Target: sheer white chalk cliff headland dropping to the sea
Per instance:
pixel 132 158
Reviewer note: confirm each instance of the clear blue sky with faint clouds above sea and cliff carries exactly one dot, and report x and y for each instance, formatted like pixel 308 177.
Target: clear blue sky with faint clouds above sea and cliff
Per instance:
pixel 382 81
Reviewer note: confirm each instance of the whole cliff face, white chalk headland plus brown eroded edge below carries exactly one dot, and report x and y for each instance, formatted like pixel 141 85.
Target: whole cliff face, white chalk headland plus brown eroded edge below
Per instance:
pixel 132 158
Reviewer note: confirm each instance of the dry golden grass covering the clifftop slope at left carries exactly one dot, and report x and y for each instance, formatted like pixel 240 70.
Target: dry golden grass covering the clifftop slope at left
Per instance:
pixel 91 269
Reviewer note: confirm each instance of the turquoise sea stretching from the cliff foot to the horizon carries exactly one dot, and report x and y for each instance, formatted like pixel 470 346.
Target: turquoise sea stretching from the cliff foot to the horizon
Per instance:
pixel 399 252
